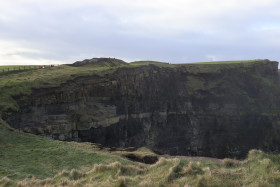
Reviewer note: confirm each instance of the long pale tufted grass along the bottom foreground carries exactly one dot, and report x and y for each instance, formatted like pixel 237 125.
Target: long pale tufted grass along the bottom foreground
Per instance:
pixel 259 169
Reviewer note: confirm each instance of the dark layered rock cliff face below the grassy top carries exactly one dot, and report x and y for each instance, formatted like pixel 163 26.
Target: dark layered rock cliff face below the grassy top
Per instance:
pixel 207 110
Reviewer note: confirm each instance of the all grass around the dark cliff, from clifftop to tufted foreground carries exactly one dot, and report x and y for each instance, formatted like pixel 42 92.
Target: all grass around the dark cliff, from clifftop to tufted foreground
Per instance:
pixel 29 160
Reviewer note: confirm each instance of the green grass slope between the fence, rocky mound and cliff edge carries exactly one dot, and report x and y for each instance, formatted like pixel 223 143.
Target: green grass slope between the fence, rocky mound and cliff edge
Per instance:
pixel 21 82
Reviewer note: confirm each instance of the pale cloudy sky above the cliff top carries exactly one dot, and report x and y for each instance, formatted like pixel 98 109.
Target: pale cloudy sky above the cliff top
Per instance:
pixel 177 31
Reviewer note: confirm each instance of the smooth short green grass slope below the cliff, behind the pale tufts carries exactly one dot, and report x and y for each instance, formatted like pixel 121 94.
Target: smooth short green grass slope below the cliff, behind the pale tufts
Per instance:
pixel 23 155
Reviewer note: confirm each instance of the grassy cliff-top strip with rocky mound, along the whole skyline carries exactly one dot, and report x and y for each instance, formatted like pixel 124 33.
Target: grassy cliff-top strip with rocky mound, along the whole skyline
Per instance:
pixel 21 82
